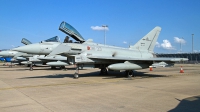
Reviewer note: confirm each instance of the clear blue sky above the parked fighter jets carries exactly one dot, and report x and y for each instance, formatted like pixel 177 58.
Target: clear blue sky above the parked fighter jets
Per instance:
pixel 128 21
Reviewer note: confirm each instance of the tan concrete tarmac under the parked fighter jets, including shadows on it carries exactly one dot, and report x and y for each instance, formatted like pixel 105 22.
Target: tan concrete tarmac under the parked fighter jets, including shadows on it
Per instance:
pixel 46 90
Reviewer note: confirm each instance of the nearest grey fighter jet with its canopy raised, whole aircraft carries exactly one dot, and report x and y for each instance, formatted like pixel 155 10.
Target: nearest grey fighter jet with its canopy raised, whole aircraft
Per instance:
pixel 94 55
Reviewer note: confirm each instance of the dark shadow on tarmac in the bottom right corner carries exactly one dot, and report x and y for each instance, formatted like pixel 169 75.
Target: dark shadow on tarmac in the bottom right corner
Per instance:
pixel 190 104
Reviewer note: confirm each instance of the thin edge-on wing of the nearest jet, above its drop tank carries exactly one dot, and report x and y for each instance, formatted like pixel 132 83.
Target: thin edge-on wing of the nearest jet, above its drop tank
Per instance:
pixel 138 59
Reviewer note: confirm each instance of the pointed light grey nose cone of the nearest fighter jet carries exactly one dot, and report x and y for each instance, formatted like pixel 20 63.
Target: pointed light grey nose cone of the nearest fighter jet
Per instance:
pixel 30 49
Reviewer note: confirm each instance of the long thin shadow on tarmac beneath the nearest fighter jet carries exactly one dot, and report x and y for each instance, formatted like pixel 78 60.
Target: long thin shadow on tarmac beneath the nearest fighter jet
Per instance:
pixel 110 75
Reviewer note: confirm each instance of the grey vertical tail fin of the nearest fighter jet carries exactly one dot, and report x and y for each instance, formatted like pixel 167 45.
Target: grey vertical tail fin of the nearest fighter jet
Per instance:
pixel 148 42
